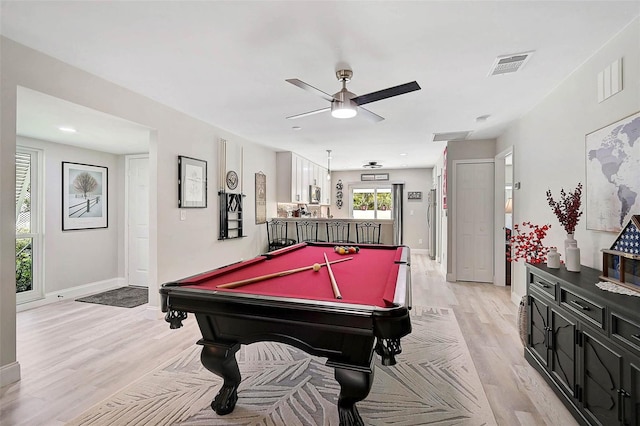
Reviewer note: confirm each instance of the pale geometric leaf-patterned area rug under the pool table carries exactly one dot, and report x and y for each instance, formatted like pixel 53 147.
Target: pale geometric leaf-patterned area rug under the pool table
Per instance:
pixel 433 383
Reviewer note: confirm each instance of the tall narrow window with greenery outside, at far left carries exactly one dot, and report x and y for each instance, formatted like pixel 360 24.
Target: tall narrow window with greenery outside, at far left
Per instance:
pixel 28 225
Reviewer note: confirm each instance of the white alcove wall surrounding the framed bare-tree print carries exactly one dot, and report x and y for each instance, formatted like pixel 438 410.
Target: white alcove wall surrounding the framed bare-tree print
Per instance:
pixel 79 257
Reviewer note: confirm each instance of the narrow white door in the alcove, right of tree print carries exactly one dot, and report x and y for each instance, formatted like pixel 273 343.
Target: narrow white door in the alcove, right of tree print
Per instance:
pixel 138 220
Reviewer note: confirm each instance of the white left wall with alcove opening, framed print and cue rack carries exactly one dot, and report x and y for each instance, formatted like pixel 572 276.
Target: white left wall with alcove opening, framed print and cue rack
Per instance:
pixel 177 248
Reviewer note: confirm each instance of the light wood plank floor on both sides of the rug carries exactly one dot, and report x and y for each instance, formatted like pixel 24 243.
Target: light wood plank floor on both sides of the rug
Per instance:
pixel 74 355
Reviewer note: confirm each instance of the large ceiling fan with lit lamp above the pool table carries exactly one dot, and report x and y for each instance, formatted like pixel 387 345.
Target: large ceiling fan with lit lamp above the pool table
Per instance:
pixel 345 104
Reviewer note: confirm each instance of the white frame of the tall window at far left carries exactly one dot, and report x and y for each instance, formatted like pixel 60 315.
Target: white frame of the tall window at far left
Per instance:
pixel 37 226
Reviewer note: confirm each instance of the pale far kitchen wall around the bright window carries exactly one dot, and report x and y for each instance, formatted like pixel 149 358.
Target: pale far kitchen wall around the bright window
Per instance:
pixel 415 211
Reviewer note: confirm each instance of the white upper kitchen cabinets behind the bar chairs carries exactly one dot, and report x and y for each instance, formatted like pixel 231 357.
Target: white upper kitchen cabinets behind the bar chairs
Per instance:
pixel 294 175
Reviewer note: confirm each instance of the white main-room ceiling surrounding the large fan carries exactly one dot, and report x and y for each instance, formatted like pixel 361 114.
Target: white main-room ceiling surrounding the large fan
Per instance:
pixel 226 63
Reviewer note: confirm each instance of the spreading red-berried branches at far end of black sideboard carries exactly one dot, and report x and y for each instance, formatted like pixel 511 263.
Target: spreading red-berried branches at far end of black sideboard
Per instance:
pixel 526 243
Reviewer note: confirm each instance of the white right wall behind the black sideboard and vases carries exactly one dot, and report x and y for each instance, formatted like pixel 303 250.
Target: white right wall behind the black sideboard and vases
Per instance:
pixel 549 144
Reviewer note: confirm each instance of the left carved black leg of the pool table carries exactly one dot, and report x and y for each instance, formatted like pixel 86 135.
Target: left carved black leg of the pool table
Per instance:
pixel 220 359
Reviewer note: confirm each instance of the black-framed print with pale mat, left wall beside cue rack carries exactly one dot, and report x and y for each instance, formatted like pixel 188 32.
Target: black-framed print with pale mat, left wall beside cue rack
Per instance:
pixel 192 183
